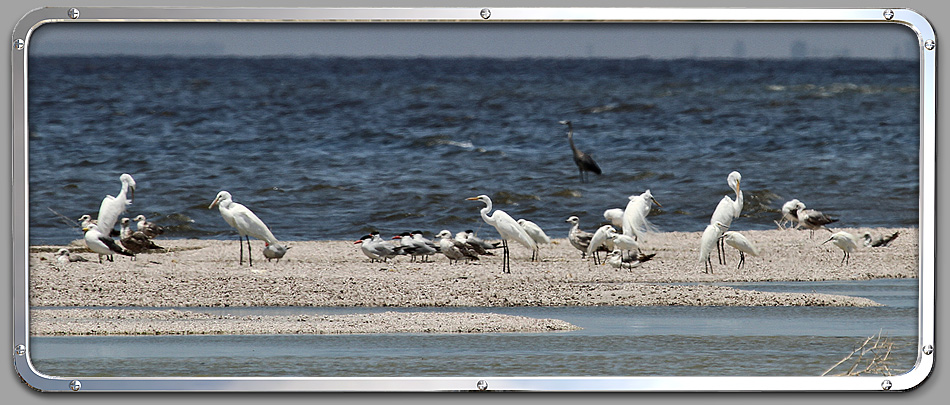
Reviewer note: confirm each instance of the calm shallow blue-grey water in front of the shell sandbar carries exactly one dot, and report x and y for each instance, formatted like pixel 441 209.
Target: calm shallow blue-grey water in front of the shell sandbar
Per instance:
pixel 614 341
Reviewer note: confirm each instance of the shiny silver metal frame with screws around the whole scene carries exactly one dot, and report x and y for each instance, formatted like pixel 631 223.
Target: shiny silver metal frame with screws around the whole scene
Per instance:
pixel 927 199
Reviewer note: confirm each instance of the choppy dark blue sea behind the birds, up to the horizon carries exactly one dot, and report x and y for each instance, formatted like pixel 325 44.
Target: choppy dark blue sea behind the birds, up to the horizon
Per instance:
pixel 330 148
